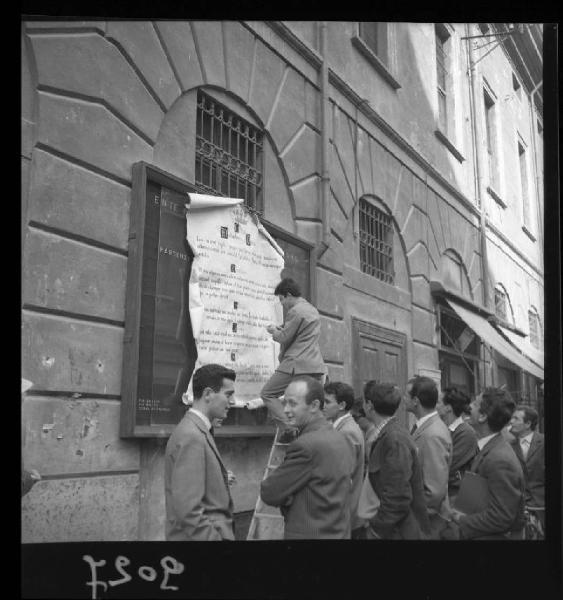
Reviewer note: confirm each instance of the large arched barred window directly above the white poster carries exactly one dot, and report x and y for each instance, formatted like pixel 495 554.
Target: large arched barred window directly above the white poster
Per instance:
pixel 229 154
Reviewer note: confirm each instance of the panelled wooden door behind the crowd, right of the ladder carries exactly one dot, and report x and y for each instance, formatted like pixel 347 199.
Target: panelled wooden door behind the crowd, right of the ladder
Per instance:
pixel 379 354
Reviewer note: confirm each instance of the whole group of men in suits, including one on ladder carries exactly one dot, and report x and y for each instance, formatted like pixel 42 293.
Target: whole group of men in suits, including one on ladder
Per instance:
pixel 352 470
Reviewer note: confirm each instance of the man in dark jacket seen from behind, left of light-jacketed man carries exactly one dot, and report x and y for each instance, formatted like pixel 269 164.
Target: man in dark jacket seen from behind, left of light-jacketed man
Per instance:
pixel 396 509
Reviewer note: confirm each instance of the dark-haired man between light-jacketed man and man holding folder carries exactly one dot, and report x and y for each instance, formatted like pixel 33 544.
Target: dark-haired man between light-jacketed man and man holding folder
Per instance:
pixel 451 408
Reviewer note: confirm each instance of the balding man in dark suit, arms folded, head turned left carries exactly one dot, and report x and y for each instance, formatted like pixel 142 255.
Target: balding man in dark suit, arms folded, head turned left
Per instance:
pixel 312 486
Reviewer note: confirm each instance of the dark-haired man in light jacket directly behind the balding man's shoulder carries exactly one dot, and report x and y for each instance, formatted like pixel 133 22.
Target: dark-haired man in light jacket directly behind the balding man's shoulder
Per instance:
pixel 339 399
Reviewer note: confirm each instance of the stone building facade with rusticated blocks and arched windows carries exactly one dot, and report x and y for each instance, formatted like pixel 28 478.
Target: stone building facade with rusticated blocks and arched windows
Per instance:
pixel 364 125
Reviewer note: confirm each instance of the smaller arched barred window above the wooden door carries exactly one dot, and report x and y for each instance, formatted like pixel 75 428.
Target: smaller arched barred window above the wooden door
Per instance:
pixel 376 242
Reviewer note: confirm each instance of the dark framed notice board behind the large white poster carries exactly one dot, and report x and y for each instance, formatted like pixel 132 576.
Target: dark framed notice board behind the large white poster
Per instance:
pixel 145 243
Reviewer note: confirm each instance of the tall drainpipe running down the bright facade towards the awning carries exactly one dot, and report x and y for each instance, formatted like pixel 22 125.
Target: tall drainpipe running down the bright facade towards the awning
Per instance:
pixel 475 101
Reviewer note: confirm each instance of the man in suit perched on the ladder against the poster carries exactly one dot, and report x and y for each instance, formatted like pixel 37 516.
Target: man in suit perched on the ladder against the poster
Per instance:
pixel 300 353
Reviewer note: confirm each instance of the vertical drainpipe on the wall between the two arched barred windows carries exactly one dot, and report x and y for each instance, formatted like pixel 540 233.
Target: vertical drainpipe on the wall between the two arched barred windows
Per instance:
pixel 325 177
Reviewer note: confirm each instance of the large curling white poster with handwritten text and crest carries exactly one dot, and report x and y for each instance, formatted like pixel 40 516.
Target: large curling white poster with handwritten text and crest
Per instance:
pixel 236 268
